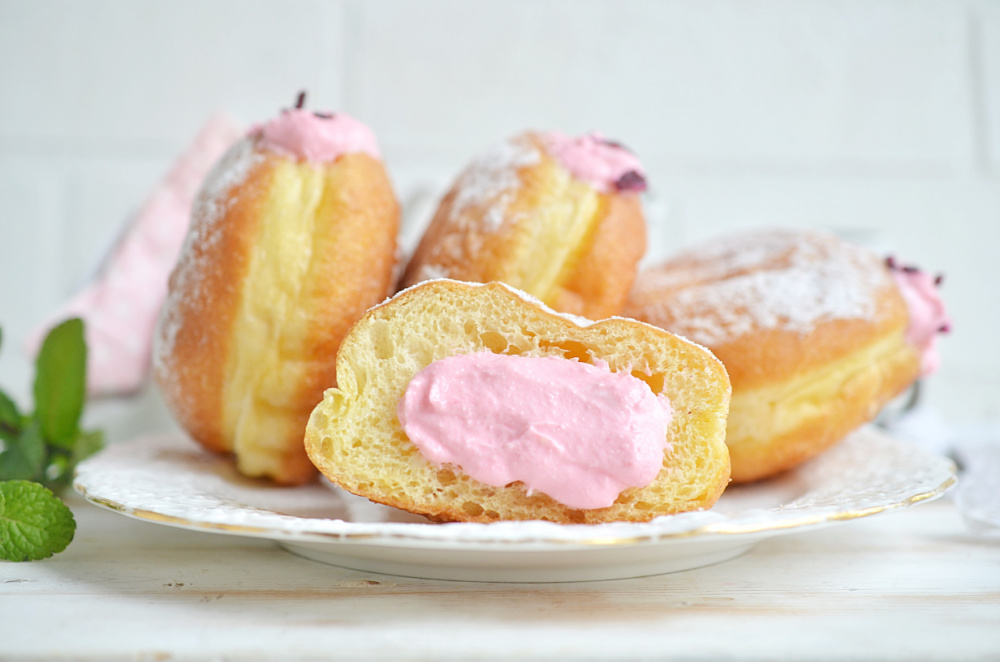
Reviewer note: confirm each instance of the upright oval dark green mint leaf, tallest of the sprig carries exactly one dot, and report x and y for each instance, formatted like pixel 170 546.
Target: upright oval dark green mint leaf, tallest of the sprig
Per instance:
pixel 60 383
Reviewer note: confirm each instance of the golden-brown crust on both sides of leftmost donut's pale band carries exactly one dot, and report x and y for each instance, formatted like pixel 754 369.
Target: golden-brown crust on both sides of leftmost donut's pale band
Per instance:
pixel 351 269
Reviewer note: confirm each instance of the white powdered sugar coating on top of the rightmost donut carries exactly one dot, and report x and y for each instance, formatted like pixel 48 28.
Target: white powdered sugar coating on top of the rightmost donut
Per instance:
pixel 782 280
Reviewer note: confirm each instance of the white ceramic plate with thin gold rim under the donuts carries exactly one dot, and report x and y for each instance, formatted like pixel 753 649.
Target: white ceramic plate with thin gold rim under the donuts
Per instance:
pixel 172 481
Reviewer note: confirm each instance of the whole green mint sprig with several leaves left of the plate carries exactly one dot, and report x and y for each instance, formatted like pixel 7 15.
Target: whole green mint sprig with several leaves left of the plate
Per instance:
pixel 40 451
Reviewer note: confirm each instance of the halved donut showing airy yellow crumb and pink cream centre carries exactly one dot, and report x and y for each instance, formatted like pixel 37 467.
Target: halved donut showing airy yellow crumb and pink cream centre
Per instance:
pixel 476 402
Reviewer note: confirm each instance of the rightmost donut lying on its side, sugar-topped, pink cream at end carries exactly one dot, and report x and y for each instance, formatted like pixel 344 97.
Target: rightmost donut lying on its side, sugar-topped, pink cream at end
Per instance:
pixel 817 335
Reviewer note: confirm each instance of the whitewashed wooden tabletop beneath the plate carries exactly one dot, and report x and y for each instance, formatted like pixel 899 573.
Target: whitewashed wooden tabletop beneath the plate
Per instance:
pixel 911 584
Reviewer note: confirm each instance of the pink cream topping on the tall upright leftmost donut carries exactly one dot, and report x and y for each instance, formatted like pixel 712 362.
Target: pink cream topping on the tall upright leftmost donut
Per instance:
pixel 317 138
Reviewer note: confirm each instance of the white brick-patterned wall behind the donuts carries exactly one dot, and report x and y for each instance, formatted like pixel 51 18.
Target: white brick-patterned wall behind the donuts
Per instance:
pixel 876 118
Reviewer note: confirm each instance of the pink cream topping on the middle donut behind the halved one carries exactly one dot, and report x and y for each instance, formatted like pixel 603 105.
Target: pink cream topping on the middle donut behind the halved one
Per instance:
pixel 606 165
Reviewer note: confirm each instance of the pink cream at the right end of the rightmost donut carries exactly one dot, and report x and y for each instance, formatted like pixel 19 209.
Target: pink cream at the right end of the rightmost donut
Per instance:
pixel 928 316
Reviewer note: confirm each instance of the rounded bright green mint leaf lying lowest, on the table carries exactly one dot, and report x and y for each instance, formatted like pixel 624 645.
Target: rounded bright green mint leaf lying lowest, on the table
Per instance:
pixel 34 523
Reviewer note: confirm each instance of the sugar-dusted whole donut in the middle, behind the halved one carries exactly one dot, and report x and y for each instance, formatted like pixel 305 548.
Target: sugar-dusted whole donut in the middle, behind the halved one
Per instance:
pixel 557 217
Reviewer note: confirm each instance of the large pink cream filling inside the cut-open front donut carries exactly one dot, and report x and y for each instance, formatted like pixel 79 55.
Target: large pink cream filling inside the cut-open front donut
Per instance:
pixel 574 431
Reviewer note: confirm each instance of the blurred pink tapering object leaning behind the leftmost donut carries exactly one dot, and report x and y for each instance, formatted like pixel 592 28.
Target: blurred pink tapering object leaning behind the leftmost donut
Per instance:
pixel 121 305
